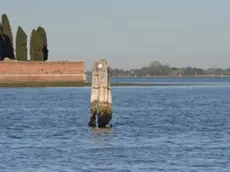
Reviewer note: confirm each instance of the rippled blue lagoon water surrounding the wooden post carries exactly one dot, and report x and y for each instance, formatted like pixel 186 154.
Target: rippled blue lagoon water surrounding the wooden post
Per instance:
pixel 173 129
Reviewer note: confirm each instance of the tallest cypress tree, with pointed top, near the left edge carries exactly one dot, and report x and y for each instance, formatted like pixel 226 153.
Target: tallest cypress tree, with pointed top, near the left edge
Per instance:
pixel 8 32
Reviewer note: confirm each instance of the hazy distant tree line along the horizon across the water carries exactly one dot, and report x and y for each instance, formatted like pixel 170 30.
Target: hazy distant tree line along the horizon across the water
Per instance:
pixel 158 69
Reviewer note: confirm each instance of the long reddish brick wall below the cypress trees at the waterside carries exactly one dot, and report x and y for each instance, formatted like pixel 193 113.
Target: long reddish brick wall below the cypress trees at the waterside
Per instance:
pixel 13 71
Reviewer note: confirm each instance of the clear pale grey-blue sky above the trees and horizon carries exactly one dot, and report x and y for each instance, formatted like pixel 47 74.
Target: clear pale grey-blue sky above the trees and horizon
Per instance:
pixel 129 33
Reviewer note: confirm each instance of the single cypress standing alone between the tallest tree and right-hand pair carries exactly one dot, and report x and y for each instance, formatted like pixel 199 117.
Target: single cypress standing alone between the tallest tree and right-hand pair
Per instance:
pixel 21 45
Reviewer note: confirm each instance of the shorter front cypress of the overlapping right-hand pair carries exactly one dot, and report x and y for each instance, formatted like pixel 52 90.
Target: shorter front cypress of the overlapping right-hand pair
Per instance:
pixel 36 46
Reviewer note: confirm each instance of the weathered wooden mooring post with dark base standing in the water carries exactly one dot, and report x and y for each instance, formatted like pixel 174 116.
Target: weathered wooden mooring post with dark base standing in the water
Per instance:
pixel 101 96
